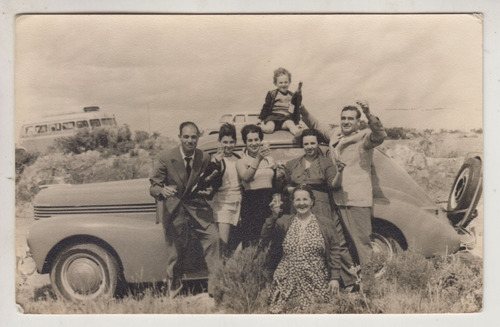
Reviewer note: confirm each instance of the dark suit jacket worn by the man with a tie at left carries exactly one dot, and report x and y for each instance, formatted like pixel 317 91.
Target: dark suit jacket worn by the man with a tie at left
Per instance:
pixel 186 204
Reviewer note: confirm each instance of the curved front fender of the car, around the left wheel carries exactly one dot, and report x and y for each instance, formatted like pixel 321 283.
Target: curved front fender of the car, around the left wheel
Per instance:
pixel 136 239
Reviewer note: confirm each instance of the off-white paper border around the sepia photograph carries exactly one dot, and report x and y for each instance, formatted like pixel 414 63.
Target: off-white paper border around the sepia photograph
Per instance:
pixel 491 24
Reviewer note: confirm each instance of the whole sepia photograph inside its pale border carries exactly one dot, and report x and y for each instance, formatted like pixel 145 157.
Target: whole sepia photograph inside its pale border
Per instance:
pixel 249 163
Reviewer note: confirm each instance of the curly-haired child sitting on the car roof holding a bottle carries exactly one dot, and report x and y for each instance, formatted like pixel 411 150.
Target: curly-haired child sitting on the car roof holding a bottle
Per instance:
pixel 275 113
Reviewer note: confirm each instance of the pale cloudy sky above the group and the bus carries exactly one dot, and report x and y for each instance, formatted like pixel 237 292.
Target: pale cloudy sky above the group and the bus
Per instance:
pixel 417 71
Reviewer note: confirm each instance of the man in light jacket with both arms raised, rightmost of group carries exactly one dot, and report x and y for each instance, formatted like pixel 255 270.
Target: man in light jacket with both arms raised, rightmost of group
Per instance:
pixel 353 147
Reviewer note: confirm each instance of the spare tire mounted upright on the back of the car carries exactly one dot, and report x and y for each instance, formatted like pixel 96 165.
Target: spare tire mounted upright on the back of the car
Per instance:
pixel 465 193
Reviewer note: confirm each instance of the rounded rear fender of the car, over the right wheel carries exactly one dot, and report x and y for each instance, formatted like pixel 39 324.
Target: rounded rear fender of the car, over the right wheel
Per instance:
pixel 435 234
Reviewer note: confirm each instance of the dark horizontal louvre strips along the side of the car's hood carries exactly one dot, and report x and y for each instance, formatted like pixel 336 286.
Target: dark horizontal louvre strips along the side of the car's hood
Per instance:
pixel 48 211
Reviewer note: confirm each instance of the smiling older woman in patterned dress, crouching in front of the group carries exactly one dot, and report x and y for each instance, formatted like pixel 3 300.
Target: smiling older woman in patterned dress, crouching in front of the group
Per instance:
pixel 307 249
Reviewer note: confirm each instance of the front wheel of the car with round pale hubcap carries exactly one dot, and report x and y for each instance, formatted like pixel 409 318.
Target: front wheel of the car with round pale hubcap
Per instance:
pixel 84 272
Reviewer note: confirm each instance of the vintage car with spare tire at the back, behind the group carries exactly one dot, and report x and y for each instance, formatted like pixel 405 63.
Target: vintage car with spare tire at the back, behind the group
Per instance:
pixel 90 237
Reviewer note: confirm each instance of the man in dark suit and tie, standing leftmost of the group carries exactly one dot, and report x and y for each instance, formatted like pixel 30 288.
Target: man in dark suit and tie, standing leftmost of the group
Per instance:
pixel 185 211
